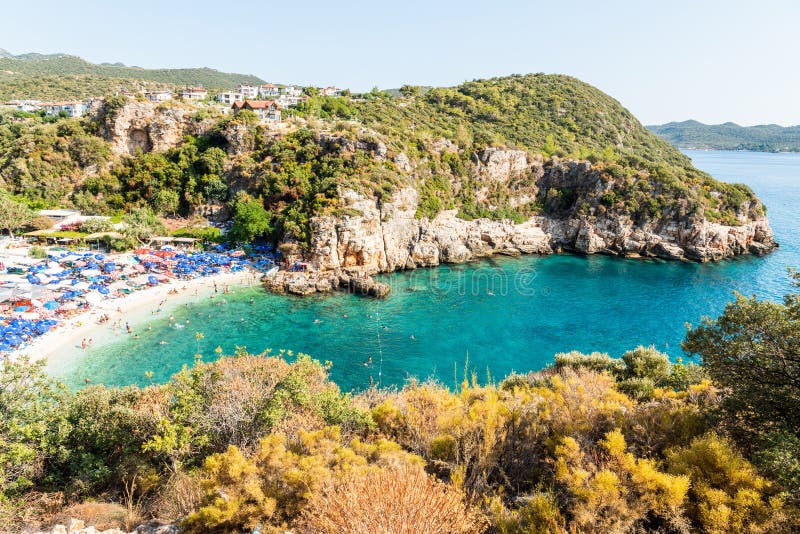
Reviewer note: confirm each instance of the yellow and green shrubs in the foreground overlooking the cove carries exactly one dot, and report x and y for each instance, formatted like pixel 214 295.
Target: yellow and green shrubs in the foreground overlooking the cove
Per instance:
pixel 590 444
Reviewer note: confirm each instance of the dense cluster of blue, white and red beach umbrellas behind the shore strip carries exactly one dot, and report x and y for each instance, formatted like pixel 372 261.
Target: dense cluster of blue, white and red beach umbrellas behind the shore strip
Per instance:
pixel 40 295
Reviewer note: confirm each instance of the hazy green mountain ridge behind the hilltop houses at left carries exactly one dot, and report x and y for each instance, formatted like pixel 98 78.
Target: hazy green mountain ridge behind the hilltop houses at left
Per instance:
pixel 46 76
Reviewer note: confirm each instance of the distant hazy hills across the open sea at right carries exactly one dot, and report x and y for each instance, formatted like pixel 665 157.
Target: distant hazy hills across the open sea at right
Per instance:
pixel 730 136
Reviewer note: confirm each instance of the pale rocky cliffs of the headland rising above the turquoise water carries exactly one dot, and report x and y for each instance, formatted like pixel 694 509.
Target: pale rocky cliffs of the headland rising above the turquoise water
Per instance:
pixel 386 235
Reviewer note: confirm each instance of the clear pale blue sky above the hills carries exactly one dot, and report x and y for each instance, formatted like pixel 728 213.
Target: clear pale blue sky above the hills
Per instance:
pixel 709 60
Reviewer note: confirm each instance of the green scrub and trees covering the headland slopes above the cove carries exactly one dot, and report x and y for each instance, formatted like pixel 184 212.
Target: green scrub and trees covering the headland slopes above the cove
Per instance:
pixel 299 175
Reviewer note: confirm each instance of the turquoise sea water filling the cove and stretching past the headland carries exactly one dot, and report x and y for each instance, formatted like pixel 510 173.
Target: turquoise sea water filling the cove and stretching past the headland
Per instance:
pixel 503 315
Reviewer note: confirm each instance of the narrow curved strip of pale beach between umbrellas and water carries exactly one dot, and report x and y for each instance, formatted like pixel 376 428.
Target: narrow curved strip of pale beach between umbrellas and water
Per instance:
pixel 134 309
